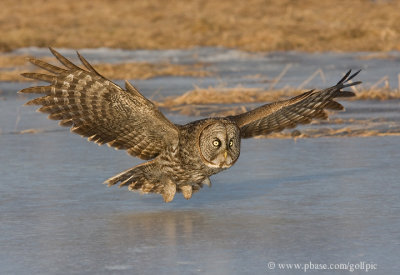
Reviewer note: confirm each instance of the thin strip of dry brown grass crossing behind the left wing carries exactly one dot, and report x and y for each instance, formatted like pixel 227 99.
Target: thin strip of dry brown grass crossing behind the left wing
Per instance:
pixel 13 65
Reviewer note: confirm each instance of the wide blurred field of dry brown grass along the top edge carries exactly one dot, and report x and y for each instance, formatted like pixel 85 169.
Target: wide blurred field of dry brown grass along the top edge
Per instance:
pixel 253 25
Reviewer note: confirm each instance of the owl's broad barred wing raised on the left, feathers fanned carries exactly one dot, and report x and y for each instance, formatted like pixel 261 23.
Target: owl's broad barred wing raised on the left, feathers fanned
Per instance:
pixel 96 108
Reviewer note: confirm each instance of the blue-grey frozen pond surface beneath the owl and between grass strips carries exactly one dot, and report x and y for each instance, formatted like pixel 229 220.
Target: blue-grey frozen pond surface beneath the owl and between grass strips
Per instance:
pixel 329 200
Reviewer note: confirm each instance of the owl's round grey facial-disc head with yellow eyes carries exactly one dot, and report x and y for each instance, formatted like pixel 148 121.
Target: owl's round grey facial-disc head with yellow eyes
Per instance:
pixel 219 144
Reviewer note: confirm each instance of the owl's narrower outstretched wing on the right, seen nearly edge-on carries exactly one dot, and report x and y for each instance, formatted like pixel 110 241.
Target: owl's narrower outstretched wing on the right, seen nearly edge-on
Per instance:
pixel 275 117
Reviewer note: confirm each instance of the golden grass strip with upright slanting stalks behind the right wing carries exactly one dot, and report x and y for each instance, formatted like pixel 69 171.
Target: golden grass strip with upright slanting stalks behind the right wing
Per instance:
pixel 195 102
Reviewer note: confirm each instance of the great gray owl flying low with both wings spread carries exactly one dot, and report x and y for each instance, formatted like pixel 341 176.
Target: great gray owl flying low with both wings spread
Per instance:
pixel 182 157
